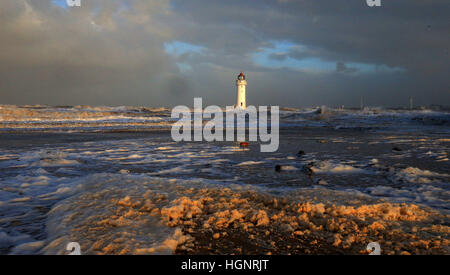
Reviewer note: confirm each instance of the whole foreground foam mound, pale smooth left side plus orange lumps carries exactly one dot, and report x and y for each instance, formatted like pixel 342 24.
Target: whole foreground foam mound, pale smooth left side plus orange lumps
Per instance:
pixel 186 216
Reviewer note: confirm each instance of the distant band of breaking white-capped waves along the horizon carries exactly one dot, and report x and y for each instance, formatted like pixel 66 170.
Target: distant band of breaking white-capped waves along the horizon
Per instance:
pixel 88 118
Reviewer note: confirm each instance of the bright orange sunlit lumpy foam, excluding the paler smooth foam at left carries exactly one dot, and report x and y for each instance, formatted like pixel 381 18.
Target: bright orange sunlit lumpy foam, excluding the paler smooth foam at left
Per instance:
pixel 342 226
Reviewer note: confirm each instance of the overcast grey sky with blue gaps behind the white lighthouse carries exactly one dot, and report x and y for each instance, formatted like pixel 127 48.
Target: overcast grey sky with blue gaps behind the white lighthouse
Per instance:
pixel 166 52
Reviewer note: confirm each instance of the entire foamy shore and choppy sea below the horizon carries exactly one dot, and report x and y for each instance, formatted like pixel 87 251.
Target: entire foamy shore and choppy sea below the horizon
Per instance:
pixel 113 180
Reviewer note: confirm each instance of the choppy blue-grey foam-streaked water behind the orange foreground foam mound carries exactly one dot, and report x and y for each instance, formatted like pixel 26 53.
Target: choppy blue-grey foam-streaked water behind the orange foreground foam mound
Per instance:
pixel 45 177
